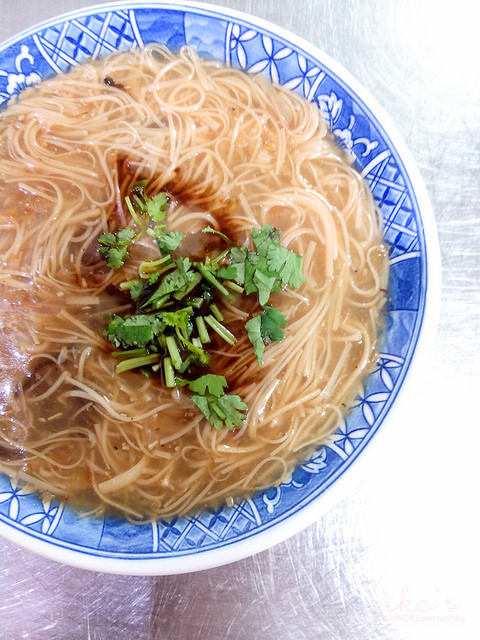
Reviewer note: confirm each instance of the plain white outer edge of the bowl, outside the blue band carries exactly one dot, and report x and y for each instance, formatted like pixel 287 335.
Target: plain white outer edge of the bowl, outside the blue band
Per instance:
pixel 338 488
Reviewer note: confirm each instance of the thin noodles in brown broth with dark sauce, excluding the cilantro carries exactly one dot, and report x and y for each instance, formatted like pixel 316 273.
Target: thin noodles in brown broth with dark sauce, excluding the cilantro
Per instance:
pixel 233 153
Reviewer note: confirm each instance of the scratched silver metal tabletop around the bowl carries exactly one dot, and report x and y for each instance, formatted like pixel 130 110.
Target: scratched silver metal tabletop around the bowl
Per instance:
pixel 397 558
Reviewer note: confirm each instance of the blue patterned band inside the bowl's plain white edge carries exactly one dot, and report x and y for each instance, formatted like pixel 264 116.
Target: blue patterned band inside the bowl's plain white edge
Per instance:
pixel 62 44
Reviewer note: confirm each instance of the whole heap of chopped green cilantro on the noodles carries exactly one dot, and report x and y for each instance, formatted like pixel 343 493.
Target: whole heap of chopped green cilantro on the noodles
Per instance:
pixel 178 304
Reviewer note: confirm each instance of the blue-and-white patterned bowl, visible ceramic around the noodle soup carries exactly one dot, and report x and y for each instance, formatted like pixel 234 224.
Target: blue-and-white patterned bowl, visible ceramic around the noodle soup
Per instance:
pixel 226 534
